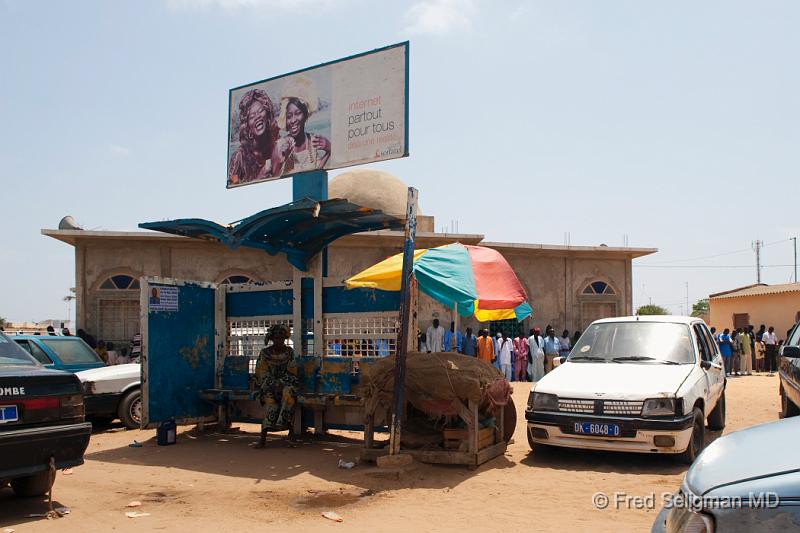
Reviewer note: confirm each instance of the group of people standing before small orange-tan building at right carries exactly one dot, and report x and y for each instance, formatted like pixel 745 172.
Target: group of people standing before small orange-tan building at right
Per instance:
pixel 745 350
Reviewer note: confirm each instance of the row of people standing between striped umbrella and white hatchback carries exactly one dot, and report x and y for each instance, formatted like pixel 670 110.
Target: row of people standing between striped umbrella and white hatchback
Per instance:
pixel 521 358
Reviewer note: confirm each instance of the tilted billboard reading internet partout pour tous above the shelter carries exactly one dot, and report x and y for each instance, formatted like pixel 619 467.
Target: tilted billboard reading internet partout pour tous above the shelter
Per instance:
pixel 338 114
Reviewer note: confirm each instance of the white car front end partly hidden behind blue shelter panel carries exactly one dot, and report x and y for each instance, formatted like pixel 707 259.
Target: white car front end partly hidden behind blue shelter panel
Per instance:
pixel 112 392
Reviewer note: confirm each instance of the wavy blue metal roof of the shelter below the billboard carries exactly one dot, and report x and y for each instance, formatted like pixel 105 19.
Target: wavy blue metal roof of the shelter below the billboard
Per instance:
pixel 299 229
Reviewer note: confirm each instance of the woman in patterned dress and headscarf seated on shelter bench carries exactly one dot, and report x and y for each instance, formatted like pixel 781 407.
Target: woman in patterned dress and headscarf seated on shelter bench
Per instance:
pixel 276 380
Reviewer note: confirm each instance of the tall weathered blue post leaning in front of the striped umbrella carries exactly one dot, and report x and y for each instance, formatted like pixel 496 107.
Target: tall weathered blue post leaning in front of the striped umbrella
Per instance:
pixel 405 319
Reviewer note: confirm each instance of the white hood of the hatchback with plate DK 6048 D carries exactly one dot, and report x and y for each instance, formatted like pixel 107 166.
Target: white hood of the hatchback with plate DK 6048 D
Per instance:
pixel 621 381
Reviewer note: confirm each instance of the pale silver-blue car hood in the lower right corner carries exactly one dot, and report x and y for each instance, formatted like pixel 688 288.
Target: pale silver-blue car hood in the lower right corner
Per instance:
pixel 761 457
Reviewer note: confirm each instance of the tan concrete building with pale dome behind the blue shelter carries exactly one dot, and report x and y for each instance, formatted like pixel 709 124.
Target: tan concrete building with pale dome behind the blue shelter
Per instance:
pixel 567 286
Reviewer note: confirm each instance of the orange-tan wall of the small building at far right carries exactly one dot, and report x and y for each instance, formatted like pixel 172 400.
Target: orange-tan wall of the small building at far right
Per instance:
pixel 778 310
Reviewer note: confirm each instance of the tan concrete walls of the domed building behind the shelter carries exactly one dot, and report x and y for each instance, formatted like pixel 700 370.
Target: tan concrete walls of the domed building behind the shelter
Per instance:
pixel 554 280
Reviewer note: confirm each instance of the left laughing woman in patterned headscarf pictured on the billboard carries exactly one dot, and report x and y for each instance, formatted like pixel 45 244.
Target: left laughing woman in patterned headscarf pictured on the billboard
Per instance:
pixel 258 132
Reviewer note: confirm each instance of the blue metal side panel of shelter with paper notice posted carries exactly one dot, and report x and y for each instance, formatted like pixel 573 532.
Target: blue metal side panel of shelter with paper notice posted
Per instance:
pixel 179 348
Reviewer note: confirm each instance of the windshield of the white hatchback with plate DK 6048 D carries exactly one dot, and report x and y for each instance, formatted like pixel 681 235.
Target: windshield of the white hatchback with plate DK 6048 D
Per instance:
pixel 623 342
